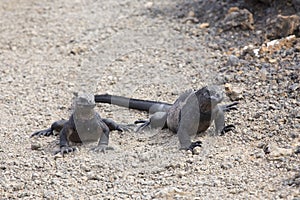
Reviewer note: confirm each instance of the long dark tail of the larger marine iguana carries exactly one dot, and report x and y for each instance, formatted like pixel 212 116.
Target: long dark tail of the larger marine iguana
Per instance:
pixel 138 104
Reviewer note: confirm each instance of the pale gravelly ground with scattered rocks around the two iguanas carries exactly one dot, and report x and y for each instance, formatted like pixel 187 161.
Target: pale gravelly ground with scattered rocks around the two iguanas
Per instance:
pixel 151 50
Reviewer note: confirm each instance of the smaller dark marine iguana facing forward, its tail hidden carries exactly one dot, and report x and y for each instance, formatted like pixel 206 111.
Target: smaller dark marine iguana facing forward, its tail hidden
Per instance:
pixel 84 125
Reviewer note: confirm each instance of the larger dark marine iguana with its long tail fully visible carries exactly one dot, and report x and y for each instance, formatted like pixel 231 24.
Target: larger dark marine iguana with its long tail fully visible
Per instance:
pixel 192 113
